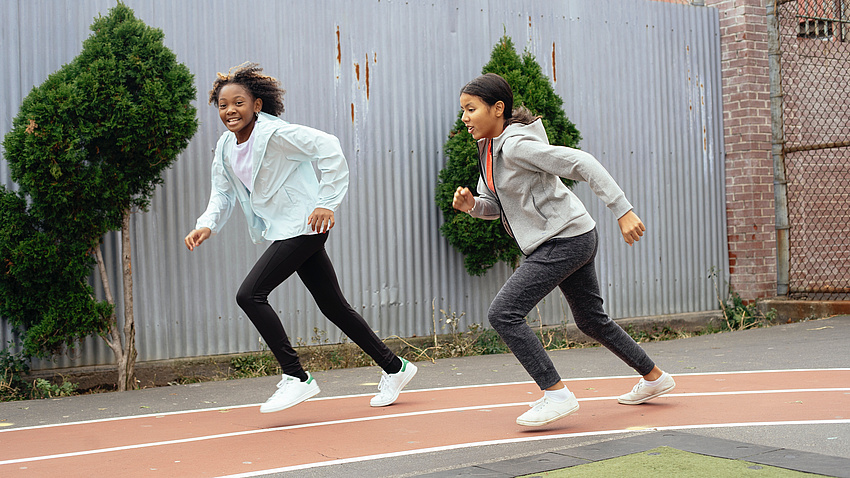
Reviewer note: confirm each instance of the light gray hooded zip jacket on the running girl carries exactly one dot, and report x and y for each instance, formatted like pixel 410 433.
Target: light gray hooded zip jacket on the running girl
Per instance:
pixel 530 198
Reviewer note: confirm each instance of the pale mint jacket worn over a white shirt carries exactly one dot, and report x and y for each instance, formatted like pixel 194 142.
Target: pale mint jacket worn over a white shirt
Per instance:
pixel 284 186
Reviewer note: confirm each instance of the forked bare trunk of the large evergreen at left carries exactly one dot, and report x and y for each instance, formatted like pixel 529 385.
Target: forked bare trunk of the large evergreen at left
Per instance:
pixel 124 348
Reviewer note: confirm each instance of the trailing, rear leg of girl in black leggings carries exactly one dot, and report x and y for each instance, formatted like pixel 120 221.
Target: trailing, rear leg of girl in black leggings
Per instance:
pixel 319 276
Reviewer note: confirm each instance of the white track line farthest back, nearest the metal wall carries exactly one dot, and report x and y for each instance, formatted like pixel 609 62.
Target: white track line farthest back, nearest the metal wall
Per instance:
pixel 460 387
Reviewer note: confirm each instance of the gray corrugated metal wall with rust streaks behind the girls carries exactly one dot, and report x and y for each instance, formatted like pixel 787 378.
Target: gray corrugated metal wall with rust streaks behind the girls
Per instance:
pixel 640 79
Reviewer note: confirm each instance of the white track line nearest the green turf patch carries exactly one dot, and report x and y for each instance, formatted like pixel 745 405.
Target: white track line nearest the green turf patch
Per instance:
pixel 519 440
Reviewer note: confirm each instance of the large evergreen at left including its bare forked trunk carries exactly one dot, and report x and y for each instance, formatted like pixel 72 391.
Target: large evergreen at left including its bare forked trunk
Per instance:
pixel 88 146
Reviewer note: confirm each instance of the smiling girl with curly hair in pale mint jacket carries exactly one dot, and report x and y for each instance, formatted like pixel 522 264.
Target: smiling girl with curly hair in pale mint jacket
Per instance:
pixel 264 163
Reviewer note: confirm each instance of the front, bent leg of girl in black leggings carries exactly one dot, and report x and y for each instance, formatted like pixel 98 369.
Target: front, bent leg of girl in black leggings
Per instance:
pixel 279 261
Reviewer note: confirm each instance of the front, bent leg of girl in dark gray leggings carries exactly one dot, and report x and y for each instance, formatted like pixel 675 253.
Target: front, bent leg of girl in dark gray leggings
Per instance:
pixel 536 277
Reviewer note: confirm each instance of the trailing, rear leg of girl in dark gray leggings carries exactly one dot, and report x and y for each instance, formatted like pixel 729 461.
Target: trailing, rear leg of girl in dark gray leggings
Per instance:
pixel 581 290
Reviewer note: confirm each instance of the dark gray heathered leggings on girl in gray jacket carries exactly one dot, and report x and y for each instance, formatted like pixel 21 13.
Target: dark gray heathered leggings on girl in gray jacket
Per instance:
pixel 566 263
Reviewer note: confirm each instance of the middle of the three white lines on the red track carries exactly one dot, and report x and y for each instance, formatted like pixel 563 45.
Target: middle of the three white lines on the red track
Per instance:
pixel 381 417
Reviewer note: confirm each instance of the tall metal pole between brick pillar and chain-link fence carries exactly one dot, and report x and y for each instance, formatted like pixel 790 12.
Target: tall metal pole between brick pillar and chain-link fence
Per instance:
pixel 780 183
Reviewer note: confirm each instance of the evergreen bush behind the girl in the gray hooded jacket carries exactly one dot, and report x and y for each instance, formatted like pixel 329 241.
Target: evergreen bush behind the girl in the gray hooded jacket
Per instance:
pixel 484 243
